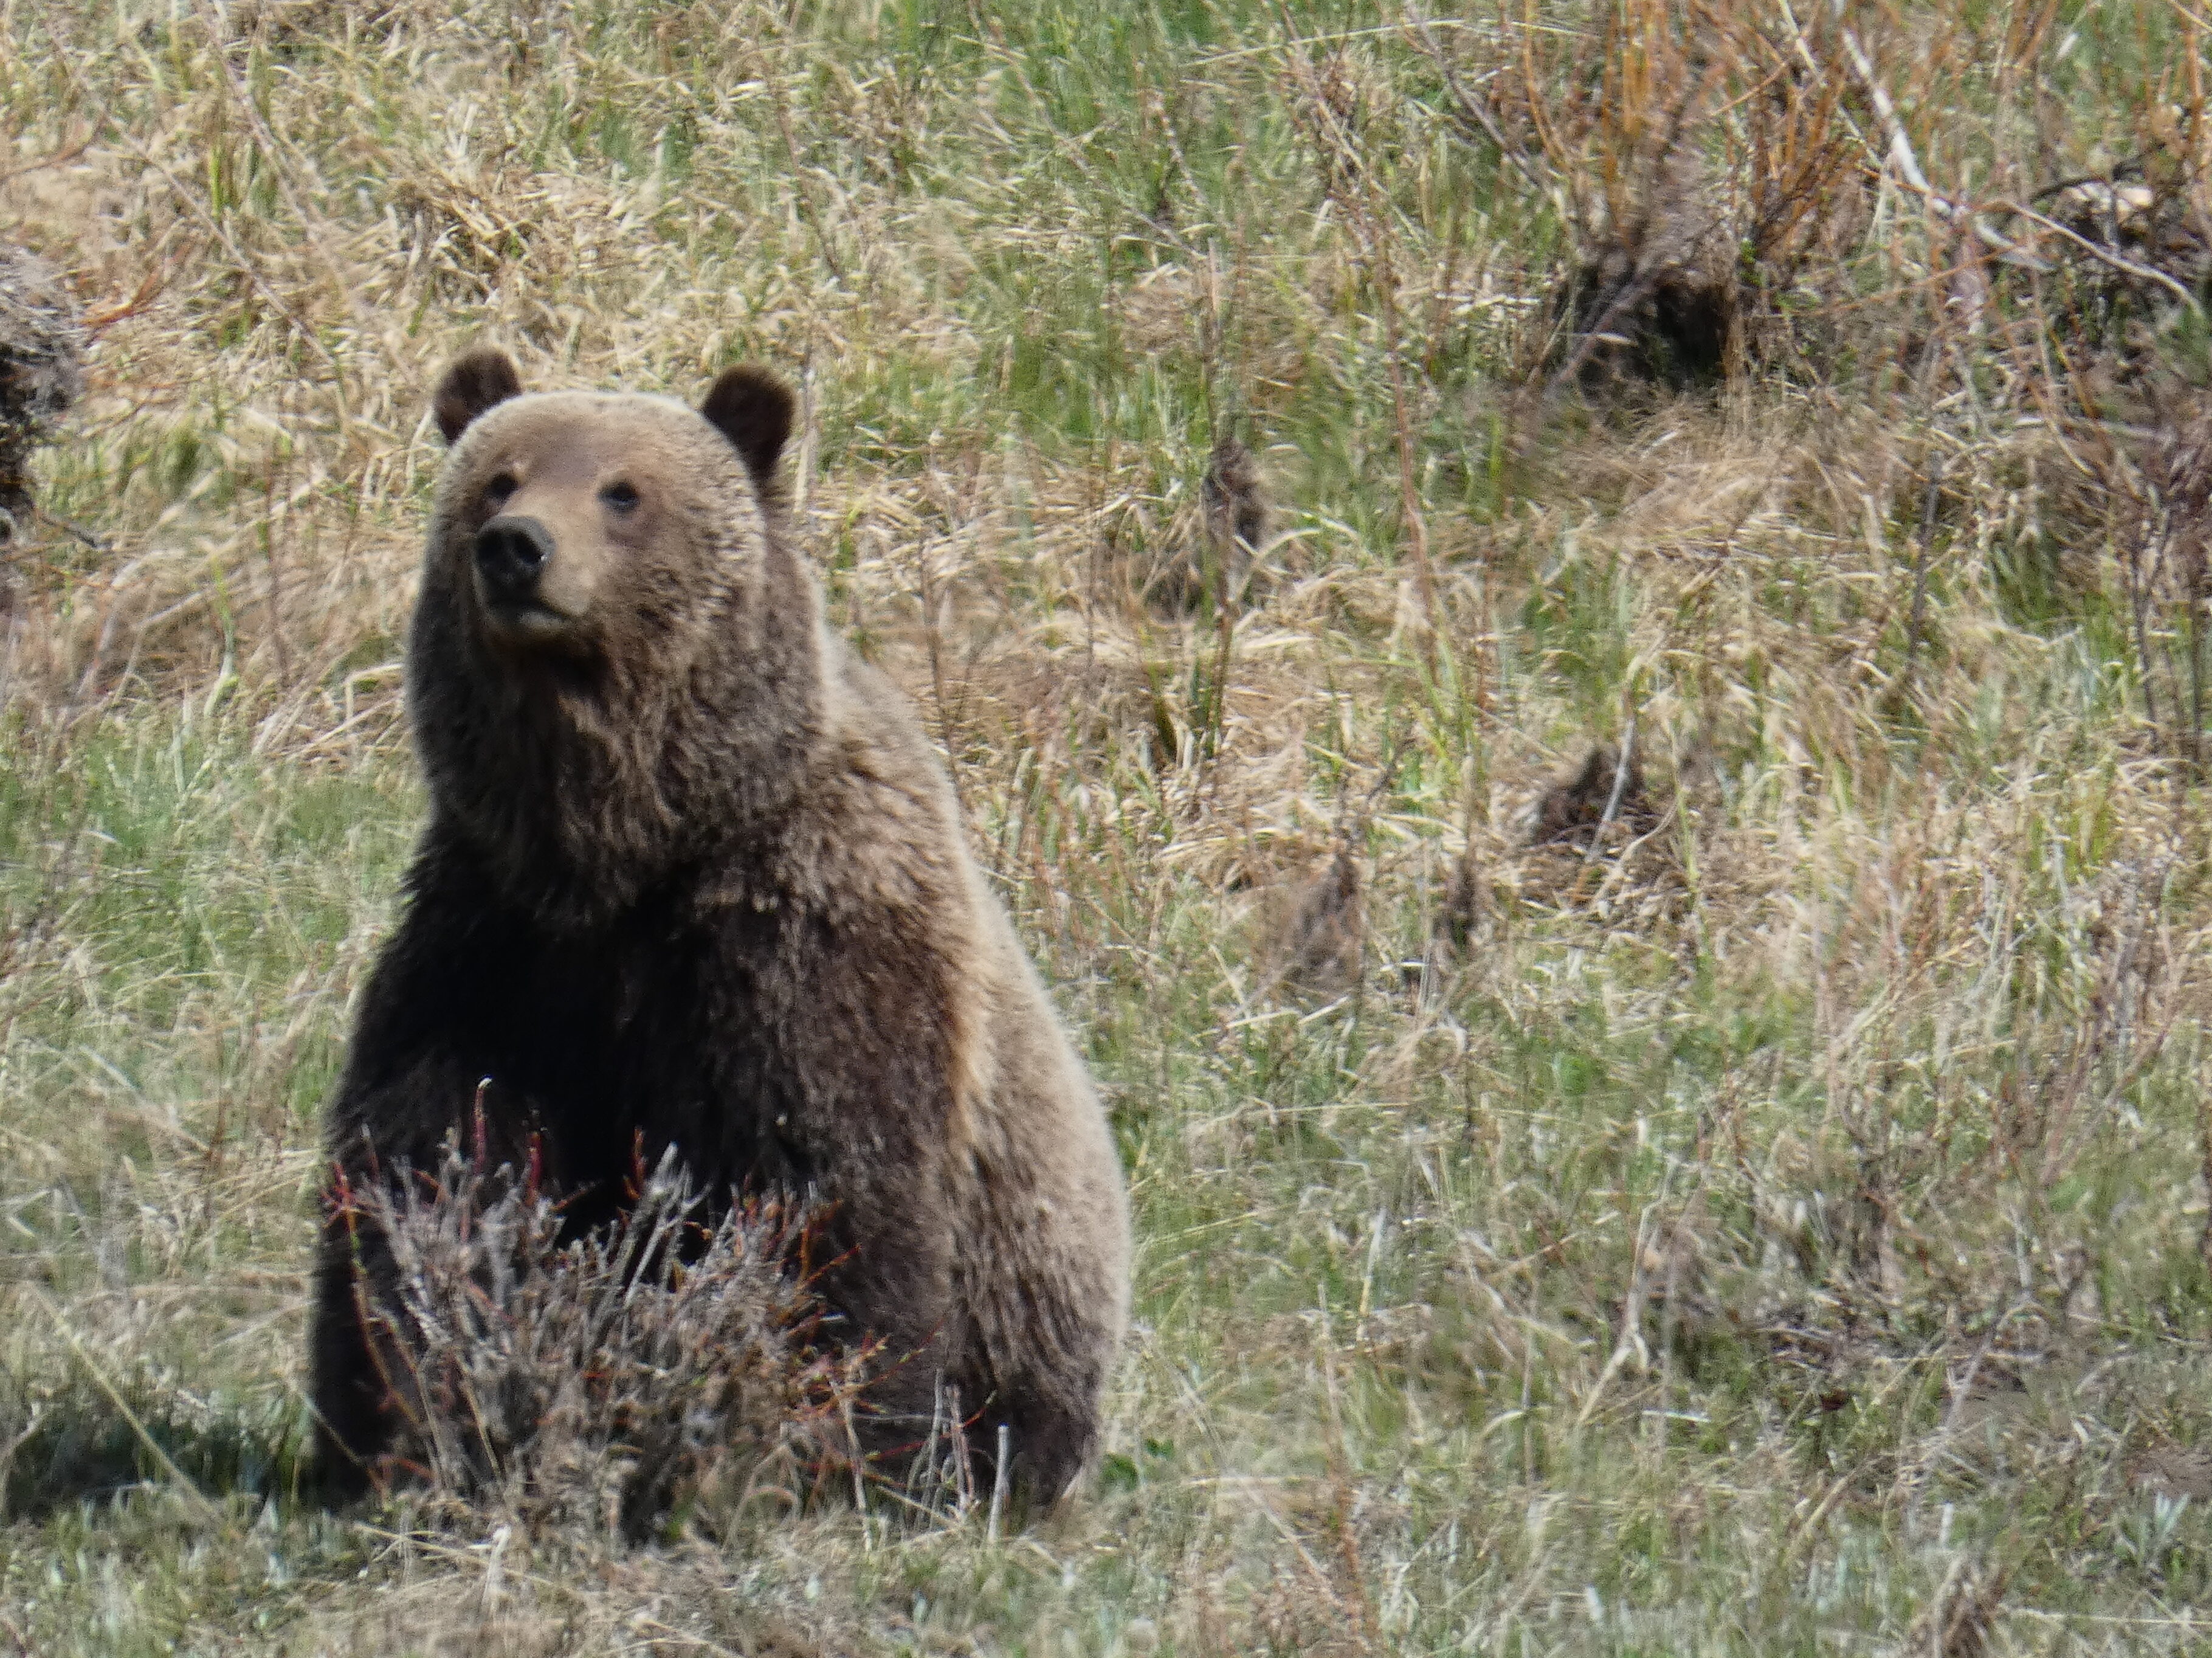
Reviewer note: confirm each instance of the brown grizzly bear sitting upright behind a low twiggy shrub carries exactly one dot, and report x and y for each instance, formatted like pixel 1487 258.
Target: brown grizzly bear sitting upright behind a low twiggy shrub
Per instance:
pixel 693 878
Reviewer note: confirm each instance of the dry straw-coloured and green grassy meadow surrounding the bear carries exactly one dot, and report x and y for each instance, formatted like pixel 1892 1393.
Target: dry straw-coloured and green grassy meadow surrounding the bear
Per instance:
pixel 1764 1219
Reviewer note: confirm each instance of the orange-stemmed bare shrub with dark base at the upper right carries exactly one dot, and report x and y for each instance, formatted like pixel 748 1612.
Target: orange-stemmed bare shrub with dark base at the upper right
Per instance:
pixel 1702 167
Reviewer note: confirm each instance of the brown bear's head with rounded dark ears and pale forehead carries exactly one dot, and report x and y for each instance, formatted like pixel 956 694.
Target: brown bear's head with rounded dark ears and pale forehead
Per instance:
pixel 618 661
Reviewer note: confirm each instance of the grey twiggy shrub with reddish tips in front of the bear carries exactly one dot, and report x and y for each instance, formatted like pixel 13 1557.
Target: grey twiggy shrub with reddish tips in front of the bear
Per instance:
pixel 605 1382
